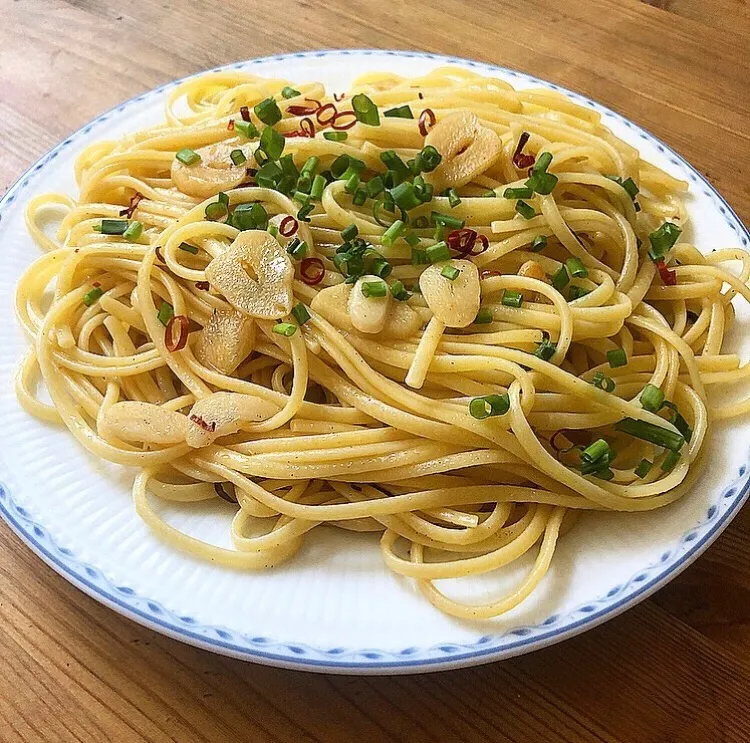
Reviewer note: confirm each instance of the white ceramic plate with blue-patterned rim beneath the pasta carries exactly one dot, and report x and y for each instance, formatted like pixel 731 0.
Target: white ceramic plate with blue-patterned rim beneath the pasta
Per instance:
pixel 334 607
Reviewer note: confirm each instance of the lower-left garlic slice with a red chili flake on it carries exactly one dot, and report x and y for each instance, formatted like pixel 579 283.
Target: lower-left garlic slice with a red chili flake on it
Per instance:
pixel 223 413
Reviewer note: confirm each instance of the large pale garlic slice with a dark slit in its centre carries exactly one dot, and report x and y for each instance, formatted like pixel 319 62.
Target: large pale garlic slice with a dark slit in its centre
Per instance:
pixel 268 293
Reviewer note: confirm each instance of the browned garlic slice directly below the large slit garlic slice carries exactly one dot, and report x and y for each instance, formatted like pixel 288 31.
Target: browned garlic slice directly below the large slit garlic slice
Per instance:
pixel 225 341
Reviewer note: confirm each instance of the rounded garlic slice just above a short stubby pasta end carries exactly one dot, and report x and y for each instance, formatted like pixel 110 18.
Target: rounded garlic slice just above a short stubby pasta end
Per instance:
pixel 454 303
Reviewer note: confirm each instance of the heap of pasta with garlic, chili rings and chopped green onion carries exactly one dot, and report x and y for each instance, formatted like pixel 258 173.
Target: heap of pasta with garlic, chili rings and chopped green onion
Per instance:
pixel 438 309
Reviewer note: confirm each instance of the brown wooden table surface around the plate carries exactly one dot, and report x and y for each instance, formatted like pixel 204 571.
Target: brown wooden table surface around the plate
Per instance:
pixel 674 669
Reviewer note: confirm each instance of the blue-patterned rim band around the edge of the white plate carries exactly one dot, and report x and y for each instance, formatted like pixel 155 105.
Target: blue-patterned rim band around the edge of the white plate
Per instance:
pixel 487 648
